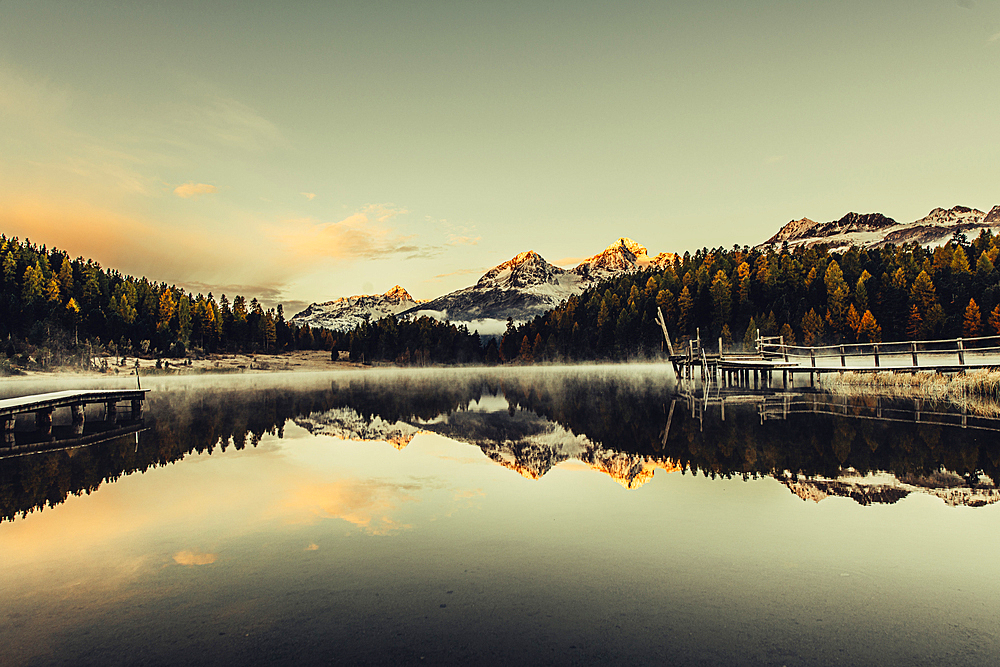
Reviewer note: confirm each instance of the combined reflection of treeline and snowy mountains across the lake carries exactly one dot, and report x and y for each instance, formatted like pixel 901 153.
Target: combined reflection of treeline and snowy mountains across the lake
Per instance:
pixel 613 420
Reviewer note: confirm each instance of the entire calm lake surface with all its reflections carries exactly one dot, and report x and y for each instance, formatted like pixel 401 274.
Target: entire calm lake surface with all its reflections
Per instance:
pixel 549 516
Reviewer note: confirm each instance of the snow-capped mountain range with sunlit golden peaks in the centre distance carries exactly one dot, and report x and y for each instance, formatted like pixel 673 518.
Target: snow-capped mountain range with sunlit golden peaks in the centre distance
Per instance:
pixel 520 288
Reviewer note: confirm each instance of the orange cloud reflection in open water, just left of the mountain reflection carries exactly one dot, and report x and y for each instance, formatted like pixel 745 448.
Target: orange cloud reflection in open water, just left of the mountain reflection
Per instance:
pixel 367 504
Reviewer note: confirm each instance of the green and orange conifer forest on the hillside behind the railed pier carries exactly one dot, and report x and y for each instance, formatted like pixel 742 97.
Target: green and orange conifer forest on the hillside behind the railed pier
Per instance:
pixel 807 295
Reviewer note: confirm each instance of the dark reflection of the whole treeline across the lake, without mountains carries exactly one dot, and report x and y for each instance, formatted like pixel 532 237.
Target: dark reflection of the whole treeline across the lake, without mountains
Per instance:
pixel 615 412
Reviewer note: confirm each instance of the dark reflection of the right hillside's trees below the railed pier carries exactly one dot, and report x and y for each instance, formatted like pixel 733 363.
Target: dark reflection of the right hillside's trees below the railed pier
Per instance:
pixel 624 417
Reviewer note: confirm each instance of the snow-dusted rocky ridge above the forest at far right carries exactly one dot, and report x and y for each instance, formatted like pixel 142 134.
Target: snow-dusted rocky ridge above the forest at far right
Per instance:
pixel 875 230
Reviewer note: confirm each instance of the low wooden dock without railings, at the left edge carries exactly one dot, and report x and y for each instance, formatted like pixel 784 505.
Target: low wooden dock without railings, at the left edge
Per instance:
pixel 44 405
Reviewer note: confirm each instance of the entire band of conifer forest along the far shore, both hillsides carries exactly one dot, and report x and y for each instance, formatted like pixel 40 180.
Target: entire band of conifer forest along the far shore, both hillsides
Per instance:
pixel 54 309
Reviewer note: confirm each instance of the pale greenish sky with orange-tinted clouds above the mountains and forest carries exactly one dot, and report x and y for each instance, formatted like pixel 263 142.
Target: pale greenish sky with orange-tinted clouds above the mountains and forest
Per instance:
pixel 303 151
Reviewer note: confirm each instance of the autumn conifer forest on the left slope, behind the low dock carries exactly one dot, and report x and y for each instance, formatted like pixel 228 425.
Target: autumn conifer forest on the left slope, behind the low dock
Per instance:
pixel 55 311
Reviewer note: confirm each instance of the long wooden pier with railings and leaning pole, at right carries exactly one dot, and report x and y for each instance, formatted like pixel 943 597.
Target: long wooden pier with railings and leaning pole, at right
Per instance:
pixel 757 369
